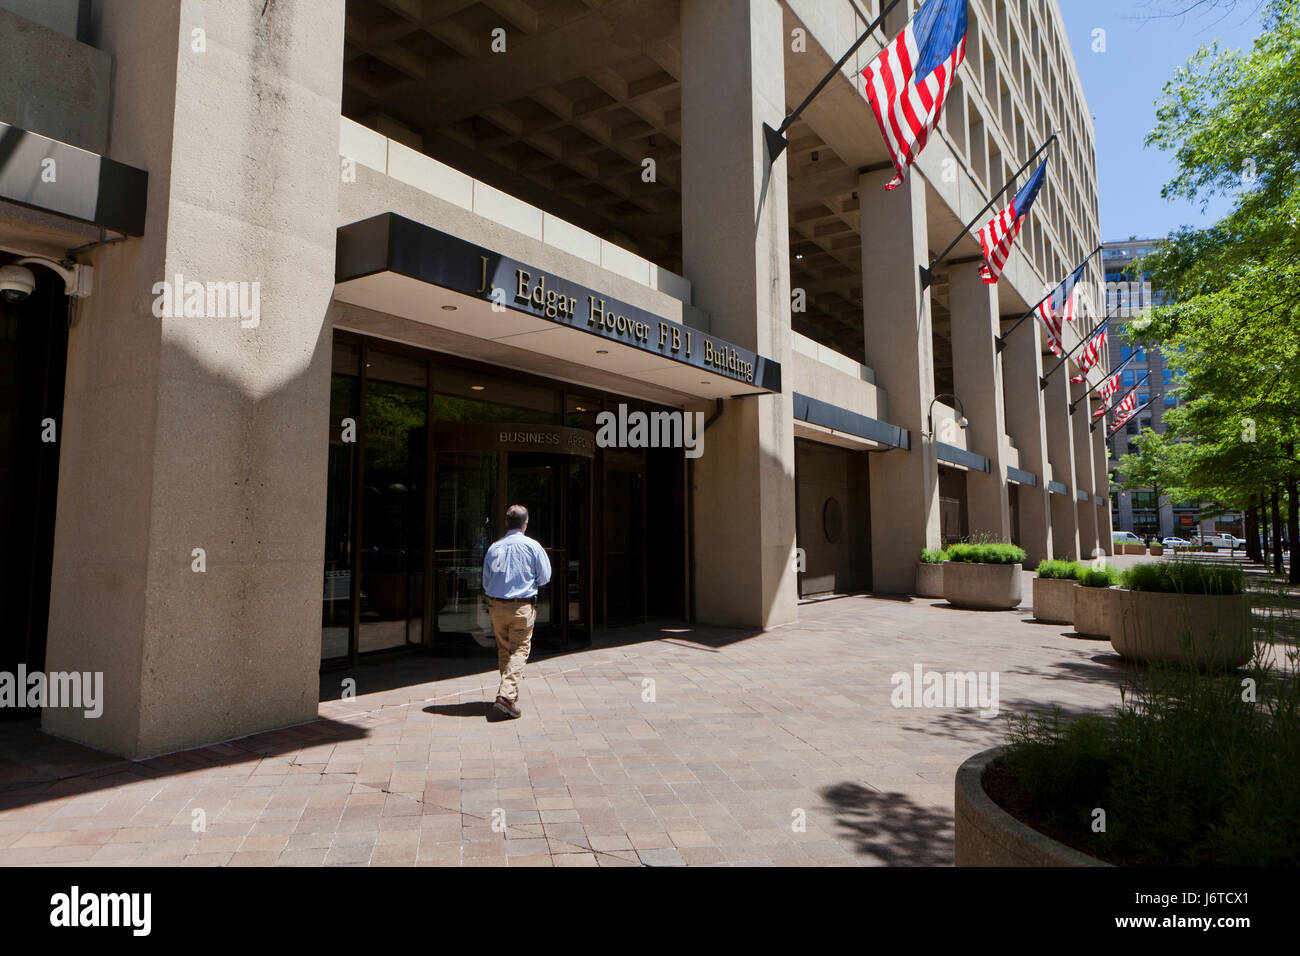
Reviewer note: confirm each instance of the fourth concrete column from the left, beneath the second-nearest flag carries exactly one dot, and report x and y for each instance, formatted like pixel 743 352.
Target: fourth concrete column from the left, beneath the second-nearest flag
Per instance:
pixel 978 380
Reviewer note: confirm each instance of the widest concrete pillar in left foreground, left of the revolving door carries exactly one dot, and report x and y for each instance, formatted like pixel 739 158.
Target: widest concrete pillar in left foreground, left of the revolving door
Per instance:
pixel 187 434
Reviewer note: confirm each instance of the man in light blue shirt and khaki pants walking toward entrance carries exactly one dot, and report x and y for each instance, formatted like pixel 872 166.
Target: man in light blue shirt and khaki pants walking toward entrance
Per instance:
pixel 514 569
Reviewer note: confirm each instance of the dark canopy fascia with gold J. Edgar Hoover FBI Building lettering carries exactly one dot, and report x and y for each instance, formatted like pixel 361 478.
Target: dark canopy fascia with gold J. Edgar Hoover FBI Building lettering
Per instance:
pixel 395 244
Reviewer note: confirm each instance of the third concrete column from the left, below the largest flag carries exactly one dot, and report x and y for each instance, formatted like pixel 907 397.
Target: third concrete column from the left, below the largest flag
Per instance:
pixel 900 349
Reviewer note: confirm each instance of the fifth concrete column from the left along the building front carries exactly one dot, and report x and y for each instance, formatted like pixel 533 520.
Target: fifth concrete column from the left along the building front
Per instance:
pixel 1022 365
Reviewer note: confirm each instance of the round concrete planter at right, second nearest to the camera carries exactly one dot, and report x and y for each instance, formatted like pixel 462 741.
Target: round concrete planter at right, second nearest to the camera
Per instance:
pixel 1197 630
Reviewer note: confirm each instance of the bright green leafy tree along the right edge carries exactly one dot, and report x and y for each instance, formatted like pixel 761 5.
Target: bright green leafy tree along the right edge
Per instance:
pixel 1232 120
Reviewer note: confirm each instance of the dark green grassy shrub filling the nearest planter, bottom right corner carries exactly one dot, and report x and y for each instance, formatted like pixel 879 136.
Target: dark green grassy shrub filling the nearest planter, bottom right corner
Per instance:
pixel 1190 775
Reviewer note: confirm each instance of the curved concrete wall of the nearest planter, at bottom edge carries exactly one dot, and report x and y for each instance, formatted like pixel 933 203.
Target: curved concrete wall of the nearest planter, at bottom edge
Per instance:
pixel 987 836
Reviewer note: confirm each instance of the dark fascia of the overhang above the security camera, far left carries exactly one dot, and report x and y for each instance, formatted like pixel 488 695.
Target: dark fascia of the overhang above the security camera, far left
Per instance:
pixel 42 174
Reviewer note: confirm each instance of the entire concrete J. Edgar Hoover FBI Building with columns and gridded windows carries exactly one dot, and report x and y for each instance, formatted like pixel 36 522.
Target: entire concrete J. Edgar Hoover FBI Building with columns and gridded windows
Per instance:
pixel 369 271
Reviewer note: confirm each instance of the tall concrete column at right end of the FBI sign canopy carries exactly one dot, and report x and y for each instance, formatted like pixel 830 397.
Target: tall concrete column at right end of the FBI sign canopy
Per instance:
pixel 735 231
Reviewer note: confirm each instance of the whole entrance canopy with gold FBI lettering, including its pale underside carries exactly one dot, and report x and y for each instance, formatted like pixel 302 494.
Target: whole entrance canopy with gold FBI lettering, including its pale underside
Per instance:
pixel 401 267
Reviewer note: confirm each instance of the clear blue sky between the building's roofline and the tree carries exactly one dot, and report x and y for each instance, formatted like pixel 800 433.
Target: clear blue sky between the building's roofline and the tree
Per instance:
pixel 1123 86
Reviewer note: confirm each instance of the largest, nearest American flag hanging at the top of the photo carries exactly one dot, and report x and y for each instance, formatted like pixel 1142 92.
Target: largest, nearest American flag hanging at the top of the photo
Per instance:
pixel 911 79
